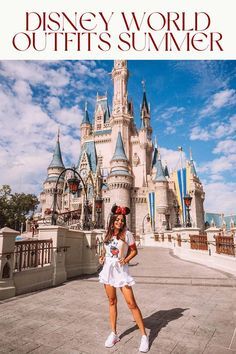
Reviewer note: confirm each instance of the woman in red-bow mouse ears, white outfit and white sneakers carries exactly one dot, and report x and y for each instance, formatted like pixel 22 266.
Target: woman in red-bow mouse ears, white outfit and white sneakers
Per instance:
pixel 119 249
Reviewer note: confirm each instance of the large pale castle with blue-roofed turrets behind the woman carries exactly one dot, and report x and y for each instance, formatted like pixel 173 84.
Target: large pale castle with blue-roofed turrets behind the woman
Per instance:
pixel 120 164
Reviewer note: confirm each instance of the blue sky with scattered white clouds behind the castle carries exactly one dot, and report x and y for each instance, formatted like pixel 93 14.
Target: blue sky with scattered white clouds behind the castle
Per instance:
pixel 192 105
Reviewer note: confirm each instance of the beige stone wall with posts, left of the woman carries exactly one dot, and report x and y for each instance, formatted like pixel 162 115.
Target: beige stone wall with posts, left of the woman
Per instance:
pixel 73 254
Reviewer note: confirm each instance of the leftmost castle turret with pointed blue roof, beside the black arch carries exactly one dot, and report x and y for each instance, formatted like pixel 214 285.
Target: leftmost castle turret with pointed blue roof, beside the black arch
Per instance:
pixel 54 170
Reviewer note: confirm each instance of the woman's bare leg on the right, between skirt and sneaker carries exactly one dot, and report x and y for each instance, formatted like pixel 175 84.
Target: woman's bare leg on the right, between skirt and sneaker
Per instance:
pixel 127 291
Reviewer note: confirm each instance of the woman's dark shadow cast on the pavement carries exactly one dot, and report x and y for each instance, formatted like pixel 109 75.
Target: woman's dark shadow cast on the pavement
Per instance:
pixel 157 321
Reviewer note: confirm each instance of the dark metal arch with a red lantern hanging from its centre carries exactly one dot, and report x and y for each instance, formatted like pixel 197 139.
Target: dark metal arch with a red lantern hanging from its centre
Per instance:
pixel 73 184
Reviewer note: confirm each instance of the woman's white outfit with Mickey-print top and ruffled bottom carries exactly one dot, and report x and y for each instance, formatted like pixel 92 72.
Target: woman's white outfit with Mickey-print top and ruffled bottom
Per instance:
pixel 113 273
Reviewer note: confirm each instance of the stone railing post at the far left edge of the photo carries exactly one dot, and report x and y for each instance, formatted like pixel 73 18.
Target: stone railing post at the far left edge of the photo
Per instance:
pixel 7 244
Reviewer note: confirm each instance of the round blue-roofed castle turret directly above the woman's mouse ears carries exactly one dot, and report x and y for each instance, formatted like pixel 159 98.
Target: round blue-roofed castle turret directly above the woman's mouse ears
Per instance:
pixel 120 179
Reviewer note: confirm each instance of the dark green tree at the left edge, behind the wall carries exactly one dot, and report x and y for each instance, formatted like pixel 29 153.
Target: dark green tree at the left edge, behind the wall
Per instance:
pixel 15 208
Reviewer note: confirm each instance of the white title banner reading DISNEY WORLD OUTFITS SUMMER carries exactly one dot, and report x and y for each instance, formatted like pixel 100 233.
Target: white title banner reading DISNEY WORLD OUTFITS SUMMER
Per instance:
pixel 32 29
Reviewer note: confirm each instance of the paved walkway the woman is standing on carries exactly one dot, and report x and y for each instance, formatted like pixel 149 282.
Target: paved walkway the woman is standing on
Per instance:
pixel 187 308
